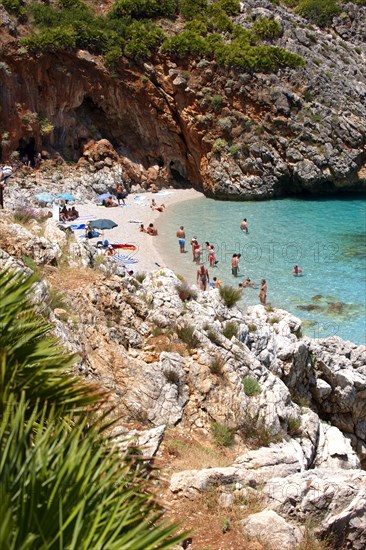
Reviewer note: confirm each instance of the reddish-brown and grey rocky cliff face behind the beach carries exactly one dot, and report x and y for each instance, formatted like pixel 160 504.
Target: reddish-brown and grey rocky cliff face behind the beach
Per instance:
pixel 231 133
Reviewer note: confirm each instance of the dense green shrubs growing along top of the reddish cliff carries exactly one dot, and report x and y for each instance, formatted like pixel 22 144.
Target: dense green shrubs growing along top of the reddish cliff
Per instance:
pixel 132 28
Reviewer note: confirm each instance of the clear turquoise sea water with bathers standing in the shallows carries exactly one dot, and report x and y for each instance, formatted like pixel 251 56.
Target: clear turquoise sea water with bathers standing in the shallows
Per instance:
pixel 325 237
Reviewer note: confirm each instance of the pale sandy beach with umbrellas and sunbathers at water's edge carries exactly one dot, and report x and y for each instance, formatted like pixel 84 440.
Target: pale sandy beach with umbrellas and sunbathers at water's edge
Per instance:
pixel 129 217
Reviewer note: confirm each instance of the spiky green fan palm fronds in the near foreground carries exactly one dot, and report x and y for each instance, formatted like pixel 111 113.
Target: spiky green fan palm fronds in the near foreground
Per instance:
pixel 62 483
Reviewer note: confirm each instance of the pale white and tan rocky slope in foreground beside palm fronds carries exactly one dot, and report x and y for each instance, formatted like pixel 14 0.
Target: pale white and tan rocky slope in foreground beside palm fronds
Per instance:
pixel 294 407
